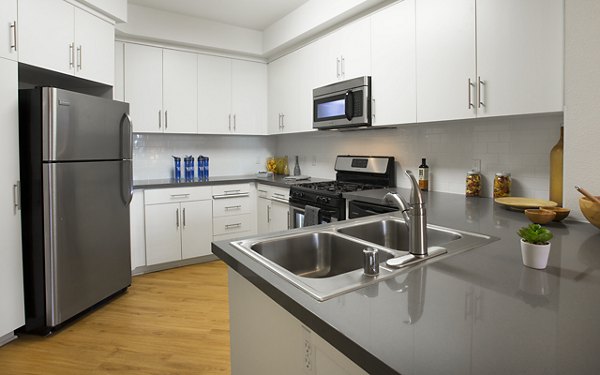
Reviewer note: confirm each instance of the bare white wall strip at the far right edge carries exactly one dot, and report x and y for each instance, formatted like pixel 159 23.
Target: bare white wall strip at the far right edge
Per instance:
pixel 582 100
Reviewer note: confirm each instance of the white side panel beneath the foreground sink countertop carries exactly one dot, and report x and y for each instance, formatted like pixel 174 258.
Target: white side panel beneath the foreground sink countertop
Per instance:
pixel 266 339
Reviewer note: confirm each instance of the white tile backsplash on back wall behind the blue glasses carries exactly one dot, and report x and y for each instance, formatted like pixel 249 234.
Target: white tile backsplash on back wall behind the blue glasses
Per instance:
pixel 229 155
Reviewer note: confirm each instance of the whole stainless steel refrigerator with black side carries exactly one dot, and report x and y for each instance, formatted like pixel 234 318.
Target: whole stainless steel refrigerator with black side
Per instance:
pixel 76 186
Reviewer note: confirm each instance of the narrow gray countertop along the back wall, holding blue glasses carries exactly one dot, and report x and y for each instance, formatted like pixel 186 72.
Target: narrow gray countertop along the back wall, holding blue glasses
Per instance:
pixel 276 180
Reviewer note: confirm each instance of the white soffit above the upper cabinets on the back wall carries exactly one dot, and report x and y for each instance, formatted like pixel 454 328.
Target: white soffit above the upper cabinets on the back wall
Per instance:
pixel 151 24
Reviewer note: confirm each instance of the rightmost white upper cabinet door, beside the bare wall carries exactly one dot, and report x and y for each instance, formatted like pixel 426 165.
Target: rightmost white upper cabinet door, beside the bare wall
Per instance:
pixel 520 56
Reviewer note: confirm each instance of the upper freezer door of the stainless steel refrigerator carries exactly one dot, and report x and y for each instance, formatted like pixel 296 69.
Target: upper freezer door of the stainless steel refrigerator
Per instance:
pixel 81 127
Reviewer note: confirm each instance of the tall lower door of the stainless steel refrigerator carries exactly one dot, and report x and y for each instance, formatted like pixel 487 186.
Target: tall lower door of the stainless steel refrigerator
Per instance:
pixel 87 248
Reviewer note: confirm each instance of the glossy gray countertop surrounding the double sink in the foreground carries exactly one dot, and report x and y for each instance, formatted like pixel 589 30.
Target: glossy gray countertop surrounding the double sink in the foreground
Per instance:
pixel 478 312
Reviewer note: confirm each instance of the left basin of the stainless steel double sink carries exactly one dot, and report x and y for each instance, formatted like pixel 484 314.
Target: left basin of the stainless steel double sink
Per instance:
pixel 315 255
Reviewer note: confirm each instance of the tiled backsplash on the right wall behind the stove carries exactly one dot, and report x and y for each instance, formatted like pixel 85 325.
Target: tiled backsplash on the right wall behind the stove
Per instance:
pixel 518 145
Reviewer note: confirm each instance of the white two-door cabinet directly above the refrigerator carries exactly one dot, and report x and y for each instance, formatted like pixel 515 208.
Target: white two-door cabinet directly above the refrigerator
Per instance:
pixel 58 36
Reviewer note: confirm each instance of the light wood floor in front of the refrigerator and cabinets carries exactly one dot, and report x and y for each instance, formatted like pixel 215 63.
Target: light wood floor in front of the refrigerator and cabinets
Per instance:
pixel 169 322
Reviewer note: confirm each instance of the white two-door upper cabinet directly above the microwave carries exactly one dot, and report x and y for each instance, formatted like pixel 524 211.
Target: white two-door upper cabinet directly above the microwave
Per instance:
pixel 345 53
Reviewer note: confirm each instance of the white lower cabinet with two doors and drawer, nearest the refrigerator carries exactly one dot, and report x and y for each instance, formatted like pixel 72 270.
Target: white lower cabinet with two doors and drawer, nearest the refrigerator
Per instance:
pixel 178 224
